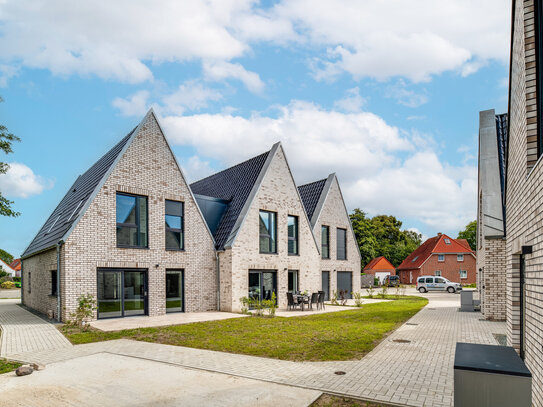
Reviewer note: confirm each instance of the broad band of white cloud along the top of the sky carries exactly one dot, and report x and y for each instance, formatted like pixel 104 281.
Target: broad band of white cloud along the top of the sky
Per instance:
pixel 122 40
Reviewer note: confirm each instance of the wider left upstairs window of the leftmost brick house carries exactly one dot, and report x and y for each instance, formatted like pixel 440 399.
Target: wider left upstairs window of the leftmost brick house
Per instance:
pixel 131 221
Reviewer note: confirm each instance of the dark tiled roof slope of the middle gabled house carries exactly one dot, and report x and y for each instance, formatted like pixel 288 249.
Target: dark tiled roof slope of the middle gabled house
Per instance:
pixel 233 185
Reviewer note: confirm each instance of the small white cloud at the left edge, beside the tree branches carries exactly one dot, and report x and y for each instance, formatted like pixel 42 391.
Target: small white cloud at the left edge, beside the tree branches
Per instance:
pixel 20 181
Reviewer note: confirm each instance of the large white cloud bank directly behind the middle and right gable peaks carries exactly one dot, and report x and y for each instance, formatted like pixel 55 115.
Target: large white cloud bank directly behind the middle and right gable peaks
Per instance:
pixel 381 168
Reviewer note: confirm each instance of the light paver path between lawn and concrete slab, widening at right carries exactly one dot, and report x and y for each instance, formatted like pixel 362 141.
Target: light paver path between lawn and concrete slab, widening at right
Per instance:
pixel 418 373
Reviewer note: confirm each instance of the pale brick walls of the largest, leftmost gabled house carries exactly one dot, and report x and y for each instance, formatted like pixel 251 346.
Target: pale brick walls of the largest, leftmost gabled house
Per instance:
pixel 147 168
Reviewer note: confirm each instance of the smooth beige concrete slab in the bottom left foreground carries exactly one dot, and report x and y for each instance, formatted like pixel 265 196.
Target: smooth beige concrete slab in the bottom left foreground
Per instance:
pixel 113 380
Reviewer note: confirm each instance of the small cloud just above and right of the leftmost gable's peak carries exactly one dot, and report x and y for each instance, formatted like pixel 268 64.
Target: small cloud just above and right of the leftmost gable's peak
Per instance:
pixel 190 95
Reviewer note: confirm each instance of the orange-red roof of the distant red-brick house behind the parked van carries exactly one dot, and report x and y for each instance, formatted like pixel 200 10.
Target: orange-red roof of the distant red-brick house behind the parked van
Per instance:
pixel 434 245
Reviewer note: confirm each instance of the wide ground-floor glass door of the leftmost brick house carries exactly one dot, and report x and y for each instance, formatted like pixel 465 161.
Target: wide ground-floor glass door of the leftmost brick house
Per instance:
pixel 122 293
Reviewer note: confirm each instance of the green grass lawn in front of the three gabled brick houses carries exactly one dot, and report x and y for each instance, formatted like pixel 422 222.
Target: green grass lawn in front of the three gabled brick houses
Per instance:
pixel 343 335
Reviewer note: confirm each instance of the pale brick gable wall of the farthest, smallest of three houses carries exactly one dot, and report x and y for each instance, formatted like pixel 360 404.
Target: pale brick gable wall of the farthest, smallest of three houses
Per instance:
pixel 334 215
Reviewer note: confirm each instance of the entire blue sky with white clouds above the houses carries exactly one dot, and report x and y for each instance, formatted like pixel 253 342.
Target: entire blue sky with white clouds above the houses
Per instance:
pixel 386 96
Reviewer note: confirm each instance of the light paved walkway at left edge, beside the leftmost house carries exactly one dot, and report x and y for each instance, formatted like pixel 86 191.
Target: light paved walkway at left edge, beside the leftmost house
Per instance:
pixel 23 331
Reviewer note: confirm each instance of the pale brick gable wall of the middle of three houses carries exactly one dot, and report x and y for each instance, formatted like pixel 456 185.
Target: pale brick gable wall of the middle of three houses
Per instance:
pixel 277 193
